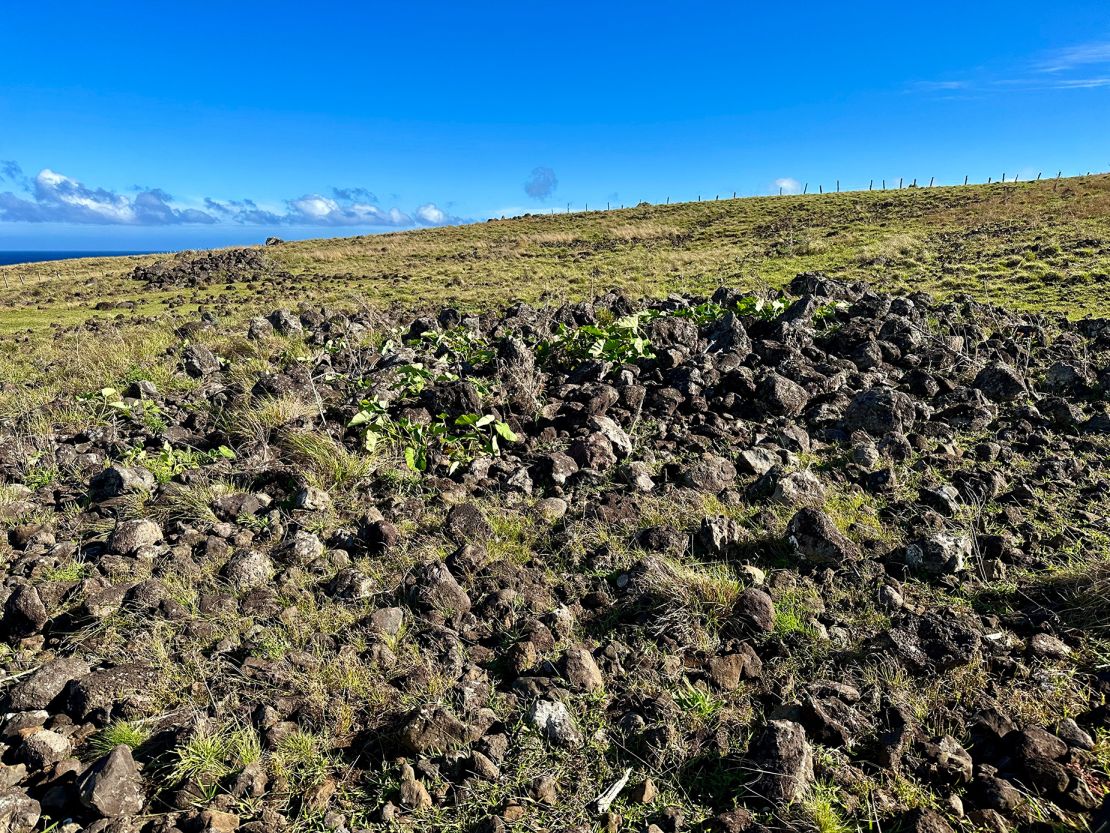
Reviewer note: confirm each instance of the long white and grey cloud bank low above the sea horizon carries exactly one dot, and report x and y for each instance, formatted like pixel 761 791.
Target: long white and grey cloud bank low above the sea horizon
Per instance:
pixel 51 197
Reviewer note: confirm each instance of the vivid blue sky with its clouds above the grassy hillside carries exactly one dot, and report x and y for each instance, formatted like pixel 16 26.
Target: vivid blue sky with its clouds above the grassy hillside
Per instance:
pixel 164 126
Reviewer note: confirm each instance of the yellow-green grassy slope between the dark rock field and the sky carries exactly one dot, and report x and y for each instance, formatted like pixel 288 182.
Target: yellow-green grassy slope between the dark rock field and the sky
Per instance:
pixel 1032 246
